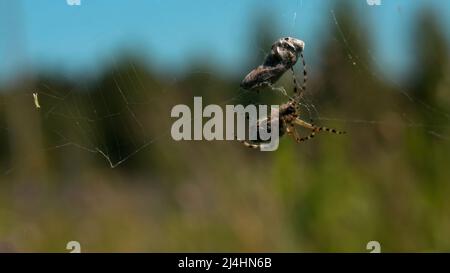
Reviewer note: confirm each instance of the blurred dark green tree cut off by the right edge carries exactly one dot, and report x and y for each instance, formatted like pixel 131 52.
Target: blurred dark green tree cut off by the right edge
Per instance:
pixel 430 72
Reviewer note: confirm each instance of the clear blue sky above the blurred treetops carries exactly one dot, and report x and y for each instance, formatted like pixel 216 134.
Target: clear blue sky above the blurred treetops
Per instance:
pixel 171 34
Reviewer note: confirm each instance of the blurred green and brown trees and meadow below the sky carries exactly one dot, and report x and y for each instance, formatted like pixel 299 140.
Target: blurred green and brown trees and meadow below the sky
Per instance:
pixel 386 180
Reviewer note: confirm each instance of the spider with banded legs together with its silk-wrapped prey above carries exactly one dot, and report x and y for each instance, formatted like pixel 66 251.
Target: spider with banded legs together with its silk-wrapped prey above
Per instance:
pixel 289 112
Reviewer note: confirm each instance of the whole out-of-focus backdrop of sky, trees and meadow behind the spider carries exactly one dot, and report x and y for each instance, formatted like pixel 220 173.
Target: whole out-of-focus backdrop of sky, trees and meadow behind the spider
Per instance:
pixel 96 163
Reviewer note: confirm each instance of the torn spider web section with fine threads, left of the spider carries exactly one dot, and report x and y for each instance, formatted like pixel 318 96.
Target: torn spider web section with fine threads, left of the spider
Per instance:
pixel 91 141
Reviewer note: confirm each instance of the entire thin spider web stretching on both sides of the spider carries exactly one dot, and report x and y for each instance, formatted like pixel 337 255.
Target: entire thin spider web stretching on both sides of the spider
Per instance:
pixel 84 119
